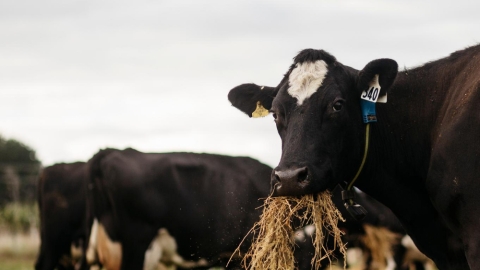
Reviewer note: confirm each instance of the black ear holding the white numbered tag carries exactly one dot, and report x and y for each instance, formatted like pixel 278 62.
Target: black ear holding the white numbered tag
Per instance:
pixel 386 69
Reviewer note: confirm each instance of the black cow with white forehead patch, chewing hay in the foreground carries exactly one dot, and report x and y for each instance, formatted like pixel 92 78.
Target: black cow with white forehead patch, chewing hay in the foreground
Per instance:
pixel 423 158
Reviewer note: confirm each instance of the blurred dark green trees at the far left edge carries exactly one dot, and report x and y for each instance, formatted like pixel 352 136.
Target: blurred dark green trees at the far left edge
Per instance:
pixel 19 168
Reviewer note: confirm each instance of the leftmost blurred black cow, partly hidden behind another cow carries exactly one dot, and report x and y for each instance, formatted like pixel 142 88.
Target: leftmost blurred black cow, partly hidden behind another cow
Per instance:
pixel 62 204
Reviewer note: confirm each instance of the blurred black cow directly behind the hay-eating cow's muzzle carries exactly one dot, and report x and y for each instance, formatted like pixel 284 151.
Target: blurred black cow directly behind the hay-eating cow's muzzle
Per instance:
pixel 207 202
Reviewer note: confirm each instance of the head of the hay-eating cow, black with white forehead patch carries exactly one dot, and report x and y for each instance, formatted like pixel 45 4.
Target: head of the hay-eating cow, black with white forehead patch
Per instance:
pixel 317 111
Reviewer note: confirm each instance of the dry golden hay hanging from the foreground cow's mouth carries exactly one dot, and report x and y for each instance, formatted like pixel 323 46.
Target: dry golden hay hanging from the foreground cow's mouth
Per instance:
pixel 273 242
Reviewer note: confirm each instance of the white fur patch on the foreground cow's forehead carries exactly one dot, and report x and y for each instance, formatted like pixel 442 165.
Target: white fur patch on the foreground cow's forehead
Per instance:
pixel 305 79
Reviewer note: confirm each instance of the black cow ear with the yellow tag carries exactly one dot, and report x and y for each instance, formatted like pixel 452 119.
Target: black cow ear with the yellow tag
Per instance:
pixel 252 99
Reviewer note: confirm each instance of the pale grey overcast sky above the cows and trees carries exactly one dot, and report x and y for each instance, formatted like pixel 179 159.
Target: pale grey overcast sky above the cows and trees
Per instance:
pixel 77 76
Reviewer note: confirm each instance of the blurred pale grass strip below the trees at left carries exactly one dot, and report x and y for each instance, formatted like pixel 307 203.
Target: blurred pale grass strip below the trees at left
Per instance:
pixel 18 252
